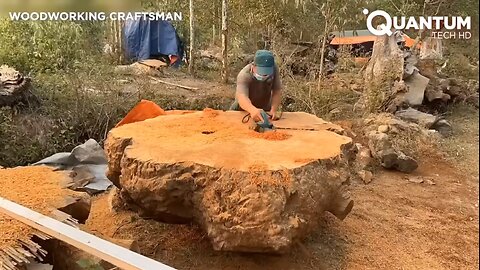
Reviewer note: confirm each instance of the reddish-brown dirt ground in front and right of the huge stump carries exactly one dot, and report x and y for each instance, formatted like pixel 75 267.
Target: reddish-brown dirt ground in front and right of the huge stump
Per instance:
pixel 395 223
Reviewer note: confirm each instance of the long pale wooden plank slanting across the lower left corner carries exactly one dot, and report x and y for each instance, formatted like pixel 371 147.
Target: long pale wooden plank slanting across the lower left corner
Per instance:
pixel 116 255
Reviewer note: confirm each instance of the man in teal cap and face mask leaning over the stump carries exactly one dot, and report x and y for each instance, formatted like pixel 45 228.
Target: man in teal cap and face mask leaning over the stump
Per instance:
pixel 259 87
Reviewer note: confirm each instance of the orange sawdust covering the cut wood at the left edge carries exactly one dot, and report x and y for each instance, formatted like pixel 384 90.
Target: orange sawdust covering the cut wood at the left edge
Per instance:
pixel 38 188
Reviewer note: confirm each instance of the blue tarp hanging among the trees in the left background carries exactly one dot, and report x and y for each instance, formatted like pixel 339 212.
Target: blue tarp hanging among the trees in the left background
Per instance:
pixel 145 39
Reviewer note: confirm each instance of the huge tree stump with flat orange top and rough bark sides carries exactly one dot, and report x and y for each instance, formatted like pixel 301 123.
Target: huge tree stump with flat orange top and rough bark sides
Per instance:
pixel 253 192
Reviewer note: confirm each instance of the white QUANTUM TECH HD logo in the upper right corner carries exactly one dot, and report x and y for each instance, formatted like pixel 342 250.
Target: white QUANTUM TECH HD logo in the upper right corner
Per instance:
pixel 404 23
